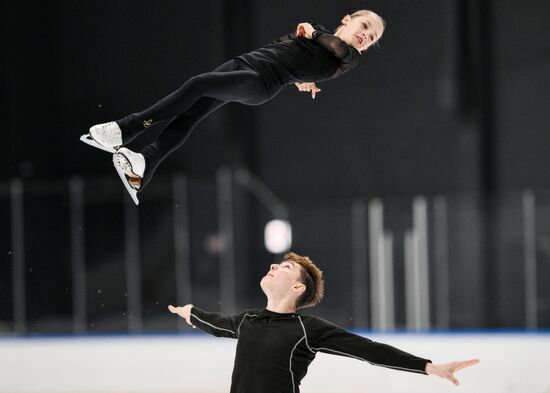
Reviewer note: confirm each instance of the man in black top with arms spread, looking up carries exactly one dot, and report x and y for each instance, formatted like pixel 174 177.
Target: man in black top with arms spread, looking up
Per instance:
pixel 276 345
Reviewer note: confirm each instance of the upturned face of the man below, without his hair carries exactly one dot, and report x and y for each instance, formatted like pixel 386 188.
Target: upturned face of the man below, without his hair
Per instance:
pixel 282 279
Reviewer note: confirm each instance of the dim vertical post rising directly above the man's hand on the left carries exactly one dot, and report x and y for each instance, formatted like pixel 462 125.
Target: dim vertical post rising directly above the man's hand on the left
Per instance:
pixel 182 249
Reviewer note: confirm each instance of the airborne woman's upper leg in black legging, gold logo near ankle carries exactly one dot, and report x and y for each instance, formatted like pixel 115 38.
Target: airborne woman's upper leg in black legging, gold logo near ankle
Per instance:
pixel 230 82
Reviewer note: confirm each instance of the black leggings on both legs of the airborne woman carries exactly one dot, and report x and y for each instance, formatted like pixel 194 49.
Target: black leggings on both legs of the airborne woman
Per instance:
pixel 201 95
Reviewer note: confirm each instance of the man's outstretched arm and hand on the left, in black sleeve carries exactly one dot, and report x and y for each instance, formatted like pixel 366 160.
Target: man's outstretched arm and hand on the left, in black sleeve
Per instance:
pixel 212 323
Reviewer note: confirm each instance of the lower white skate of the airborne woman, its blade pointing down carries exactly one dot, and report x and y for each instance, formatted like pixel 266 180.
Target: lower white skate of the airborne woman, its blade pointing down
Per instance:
pixel 130 166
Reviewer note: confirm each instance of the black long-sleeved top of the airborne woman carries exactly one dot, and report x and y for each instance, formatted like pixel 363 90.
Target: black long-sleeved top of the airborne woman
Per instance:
pixel 291 59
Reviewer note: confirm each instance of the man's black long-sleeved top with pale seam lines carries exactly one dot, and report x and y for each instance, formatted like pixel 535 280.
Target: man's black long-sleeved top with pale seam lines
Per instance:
pixel 274 350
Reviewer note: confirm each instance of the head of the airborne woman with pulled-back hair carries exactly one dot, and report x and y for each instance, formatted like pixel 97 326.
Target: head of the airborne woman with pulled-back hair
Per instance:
pixel 361 31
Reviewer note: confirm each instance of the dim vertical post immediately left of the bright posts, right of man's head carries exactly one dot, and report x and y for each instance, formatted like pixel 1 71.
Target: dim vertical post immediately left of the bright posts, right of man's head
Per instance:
pixel 359 263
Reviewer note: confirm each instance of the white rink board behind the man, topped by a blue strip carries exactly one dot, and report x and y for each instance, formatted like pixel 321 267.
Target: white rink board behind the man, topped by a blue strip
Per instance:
pixel 510 363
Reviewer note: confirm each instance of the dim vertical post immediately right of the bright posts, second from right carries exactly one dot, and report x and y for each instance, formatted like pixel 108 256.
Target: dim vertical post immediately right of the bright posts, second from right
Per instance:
pixel 441 263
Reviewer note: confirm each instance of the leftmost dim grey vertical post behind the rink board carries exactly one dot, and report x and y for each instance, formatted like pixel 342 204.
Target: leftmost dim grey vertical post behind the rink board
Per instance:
pixel 18 255
